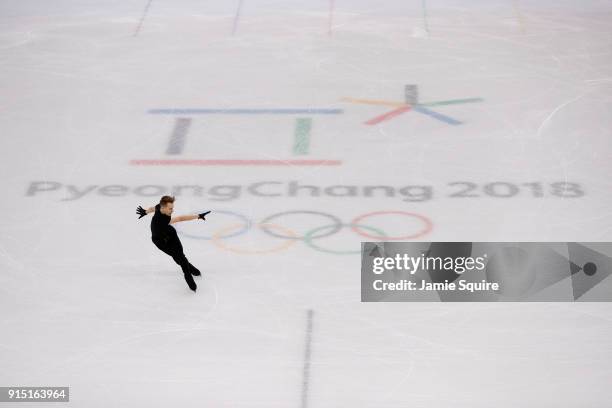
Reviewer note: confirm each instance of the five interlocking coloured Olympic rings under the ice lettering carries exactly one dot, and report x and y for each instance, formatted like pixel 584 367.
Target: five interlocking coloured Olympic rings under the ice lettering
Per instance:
pixel 332 225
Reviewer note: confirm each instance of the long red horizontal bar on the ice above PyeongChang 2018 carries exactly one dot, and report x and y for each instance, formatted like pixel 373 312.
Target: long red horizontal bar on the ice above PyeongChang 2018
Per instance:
pixel 232 162
